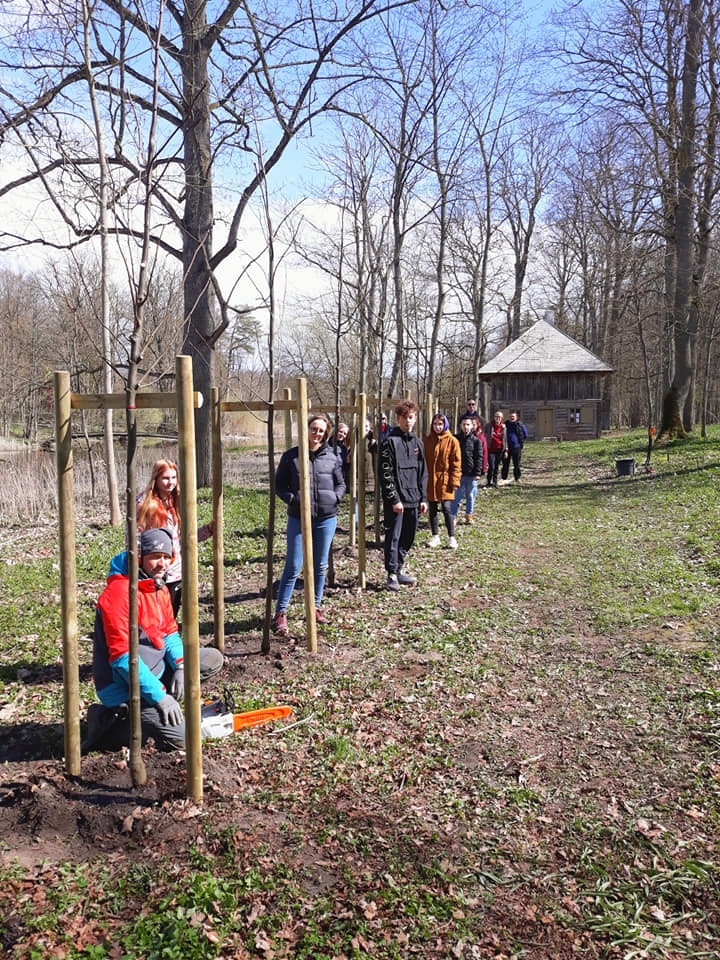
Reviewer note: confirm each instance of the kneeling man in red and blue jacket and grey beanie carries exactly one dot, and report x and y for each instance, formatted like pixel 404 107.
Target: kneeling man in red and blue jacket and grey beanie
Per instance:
pixel 160 664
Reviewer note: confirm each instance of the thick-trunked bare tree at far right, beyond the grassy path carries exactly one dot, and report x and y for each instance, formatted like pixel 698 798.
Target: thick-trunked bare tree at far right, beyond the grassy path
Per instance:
pixel 647 73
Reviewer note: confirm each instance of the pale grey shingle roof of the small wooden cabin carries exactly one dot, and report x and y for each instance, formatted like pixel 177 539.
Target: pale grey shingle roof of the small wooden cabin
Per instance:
pixel 544 349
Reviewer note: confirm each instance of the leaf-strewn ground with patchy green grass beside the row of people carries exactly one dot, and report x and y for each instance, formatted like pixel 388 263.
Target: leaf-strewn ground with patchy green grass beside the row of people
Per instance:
pixel 519 757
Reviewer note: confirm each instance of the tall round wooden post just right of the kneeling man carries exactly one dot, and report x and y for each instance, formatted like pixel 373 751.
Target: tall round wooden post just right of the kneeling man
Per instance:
pixel 189 543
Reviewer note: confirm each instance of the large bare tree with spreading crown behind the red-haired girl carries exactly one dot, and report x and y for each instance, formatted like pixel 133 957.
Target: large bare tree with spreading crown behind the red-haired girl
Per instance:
pixel 281 67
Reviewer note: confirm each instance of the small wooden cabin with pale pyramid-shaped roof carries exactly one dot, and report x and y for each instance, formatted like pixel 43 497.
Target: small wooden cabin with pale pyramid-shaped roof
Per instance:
pixel 551 380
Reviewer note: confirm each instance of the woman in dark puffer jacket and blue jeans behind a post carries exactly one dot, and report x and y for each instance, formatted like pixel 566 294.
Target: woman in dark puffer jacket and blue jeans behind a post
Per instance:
pixel 327 488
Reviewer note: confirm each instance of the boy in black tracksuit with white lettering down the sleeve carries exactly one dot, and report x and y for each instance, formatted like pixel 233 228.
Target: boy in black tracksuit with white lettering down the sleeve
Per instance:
pixel 403 480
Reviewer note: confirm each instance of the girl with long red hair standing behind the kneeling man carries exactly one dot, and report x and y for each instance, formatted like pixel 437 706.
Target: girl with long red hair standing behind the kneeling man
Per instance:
pixel 158 507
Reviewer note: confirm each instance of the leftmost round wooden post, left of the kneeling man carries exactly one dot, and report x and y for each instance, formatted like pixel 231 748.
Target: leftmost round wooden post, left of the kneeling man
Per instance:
pixel 68 573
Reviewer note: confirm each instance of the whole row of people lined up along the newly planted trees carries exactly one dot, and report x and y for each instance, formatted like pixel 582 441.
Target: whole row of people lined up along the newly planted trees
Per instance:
pixel 431 476
